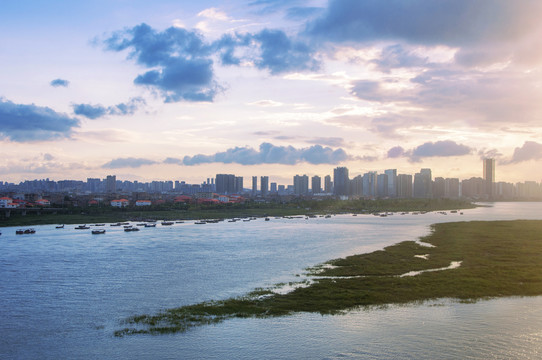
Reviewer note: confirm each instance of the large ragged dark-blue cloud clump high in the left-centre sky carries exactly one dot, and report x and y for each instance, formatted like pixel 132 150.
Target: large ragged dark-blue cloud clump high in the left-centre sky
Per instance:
pixel 180 65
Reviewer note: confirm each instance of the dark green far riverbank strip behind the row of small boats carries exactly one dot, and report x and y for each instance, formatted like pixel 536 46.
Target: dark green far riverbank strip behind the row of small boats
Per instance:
pixel 92 215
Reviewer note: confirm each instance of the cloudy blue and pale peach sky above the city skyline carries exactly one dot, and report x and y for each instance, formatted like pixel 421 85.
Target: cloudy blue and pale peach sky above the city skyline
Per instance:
pixel 183 90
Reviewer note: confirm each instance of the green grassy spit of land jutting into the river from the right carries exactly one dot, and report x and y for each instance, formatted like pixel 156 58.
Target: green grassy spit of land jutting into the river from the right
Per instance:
pixel 497 258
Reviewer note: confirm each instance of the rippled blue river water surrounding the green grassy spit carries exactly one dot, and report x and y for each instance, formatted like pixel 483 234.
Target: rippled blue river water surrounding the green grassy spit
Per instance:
pixel 63 292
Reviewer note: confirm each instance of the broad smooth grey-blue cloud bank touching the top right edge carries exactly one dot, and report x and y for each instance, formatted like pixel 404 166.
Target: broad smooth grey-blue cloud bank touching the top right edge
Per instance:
pixel 444 22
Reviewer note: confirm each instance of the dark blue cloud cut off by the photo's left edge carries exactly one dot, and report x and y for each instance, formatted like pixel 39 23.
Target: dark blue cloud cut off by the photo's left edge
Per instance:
pixel 19 122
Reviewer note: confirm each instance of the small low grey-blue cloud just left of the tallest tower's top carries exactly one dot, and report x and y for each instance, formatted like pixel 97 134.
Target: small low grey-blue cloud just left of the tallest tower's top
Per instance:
pixel 444 148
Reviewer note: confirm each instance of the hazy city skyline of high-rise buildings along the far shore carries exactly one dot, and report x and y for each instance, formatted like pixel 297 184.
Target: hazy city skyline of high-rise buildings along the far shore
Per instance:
pixel 228 188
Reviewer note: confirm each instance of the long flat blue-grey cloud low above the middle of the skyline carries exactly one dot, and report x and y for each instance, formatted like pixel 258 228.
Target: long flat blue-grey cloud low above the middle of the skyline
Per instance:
pixel 271 154
